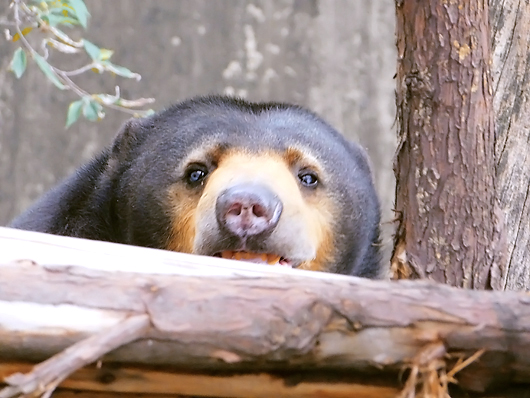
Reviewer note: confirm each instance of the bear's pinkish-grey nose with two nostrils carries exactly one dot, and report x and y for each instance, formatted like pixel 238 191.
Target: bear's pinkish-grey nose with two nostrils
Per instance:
pixel 248 209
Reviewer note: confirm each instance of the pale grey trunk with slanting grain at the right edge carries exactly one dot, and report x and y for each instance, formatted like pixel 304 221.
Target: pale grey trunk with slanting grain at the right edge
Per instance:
pixel 510 22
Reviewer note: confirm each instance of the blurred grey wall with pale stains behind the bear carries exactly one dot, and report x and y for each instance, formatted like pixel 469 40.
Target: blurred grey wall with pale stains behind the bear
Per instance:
pixel 336 57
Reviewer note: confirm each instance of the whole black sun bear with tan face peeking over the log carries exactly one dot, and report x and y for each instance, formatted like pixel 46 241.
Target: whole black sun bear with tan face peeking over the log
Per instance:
pixel 261 182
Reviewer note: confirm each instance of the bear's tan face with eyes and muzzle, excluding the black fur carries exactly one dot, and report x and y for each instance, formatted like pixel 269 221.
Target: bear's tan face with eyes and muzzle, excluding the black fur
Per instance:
pixel 268 207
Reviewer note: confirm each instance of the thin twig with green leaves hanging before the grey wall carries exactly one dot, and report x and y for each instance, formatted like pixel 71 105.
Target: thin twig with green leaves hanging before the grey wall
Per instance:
pixel 45 17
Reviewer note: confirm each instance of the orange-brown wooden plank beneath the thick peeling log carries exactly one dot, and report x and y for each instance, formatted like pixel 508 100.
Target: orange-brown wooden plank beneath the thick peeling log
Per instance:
pixel 114 380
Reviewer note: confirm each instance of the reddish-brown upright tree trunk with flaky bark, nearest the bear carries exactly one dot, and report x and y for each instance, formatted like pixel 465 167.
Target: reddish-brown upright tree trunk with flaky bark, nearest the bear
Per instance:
pixel 449 225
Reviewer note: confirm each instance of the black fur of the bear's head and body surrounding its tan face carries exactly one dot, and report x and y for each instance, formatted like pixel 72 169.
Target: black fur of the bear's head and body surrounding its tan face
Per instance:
pixel 119 195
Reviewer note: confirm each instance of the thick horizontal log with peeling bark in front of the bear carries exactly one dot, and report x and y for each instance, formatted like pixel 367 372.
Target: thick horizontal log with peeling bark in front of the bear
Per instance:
pixel 215 315
